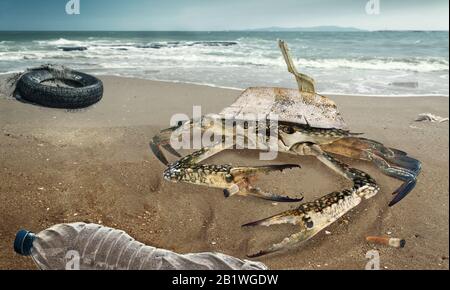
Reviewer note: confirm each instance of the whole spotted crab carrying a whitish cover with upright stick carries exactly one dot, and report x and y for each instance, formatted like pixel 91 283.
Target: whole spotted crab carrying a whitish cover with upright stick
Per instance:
pixel 307 124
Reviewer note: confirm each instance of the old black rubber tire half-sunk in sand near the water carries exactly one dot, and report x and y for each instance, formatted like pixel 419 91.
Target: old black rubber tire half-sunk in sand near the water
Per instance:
pixel 83 91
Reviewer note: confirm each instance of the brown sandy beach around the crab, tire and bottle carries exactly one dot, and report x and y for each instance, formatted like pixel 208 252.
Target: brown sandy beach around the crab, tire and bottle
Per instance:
pixel 95 165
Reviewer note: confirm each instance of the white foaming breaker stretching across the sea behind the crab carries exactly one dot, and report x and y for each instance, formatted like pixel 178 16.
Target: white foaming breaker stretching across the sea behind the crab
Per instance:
pixel 191 57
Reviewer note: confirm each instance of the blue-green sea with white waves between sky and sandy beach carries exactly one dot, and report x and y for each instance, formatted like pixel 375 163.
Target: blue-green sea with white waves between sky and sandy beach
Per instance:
pixel 375 63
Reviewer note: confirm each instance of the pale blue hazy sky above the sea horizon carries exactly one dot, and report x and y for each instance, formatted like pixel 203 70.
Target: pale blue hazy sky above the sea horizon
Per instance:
pixel 223 14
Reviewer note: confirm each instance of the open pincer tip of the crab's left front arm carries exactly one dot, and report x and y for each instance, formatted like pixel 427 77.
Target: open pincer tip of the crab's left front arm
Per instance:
pixel 244 176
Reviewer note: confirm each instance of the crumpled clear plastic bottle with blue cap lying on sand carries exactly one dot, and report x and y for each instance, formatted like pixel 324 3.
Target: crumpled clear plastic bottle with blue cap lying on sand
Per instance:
pixel 80 246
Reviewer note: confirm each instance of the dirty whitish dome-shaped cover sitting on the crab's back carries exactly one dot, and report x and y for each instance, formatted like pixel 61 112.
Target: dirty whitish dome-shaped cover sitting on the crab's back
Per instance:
pixel 289 105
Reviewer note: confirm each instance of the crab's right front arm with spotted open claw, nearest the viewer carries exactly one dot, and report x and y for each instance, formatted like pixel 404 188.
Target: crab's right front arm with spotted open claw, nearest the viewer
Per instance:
pixel 312 217
